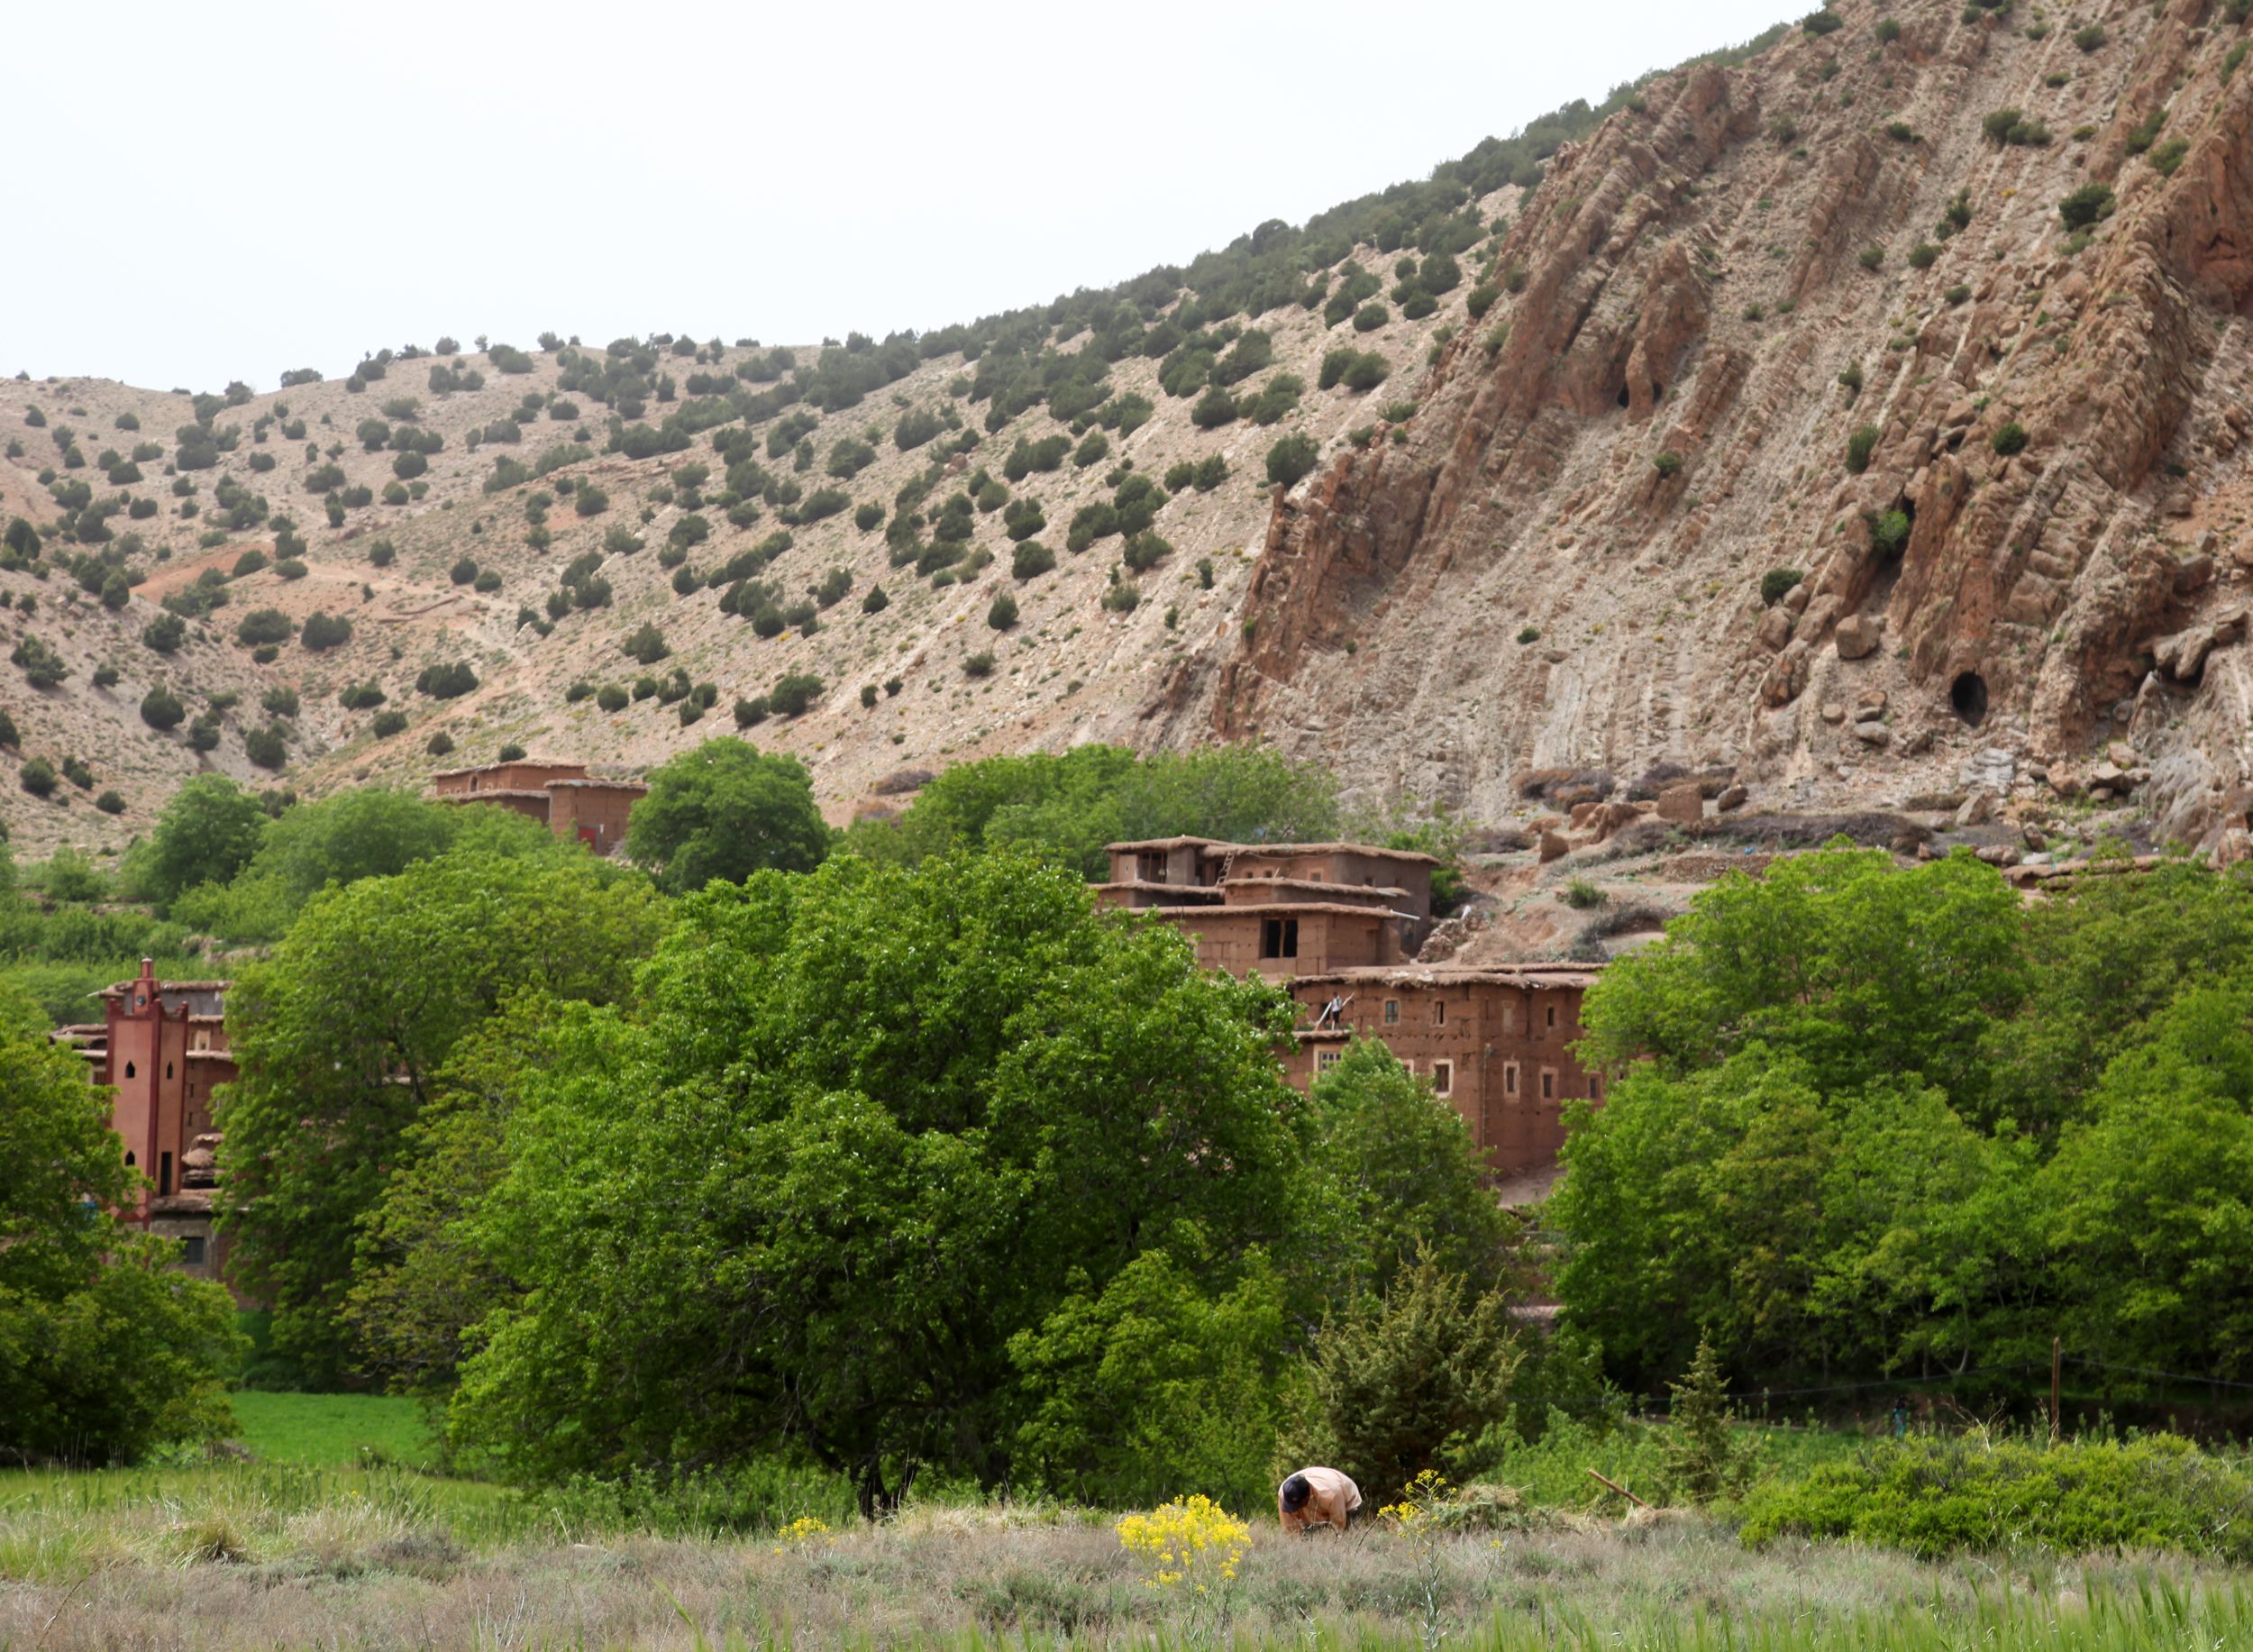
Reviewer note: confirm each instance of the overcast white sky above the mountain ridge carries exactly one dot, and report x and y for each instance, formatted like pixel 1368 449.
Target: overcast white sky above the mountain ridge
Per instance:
pixel 213 193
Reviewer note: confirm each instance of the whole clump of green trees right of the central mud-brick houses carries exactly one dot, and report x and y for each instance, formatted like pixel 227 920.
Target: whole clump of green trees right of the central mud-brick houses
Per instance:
pixel 1878 1121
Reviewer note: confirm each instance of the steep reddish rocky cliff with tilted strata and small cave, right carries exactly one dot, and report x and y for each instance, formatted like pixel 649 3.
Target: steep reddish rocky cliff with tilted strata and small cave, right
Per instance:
pixel 1822 319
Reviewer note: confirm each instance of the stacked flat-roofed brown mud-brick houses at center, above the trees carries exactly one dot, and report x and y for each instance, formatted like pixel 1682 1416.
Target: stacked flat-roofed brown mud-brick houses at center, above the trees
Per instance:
pixel 1342 925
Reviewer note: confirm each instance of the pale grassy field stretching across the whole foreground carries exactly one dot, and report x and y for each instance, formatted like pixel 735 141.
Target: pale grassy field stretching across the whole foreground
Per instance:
pixel 321 1543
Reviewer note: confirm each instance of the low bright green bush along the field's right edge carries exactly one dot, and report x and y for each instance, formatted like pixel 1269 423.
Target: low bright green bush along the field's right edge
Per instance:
pixel 1950 1495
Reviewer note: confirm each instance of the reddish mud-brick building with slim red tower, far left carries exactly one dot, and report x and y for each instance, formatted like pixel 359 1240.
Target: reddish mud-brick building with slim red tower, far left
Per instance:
pixel 163 1045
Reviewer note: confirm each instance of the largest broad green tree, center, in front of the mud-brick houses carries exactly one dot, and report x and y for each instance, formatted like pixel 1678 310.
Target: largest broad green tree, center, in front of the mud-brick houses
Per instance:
pixel 900 1119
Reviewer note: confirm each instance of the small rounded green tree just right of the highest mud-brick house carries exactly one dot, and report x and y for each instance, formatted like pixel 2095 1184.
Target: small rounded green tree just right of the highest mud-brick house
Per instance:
pixel 727 810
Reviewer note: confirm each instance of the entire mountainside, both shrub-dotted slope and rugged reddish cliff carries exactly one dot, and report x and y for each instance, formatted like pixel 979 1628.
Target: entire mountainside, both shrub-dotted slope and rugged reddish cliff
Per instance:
pixel 1783 429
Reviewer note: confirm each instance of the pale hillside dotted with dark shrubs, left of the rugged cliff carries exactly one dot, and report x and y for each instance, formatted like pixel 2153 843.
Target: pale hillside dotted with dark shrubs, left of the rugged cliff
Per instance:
pixel 947 682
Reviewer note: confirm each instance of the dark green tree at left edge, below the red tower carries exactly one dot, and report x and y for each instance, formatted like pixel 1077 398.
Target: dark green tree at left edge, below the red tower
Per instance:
pixel 107 1353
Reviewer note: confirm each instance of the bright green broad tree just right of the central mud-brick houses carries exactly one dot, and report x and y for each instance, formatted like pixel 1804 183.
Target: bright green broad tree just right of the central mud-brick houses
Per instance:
pixel 1810 1148
